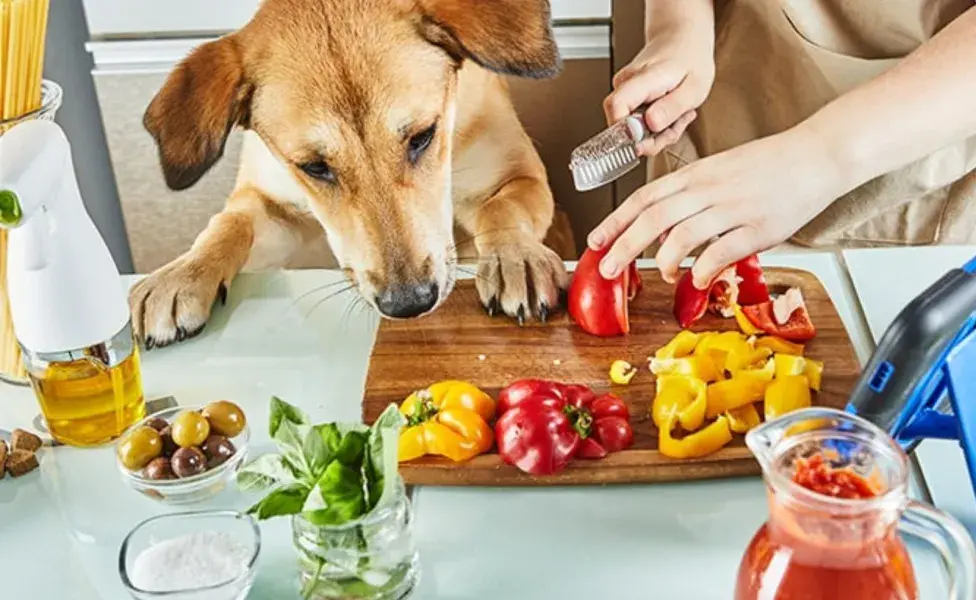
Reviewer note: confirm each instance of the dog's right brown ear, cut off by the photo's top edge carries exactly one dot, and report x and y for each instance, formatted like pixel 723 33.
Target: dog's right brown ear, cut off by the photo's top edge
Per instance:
pixel 513 37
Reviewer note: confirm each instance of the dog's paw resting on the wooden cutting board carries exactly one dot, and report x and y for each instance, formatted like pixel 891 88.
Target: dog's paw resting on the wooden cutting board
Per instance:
pixel 521 279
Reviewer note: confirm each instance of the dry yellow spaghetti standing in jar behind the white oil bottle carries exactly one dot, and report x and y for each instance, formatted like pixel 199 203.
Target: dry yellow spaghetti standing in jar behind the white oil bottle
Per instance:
pixel 23 26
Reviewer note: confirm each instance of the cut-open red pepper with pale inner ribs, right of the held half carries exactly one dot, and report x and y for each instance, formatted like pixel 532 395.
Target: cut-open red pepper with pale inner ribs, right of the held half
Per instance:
pixel 742 283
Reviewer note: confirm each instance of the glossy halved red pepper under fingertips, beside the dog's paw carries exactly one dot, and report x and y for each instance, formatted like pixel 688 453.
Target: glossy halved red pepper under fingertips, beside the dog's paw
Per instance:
pixel 600 306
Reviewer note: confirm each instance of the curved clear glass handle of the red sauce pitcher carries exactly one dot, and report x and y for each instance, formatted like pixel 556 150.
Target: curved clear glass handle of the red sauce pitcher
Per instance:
pixel 951 540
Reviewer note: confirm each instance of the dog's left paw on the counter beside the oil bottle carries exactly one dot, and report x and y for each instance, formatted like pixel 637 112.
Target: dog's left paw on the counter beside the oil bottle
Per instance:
pixel 173 303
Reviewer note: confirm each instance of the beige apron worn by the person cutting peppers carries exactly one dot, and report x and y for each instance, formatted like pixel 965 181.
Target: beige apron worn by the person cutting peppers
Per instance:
pixel 779 61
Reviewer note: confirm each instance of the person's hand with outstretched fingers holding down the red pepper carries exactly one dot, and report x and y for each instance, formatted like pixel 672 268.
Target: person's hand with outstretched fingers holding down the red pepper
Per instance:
pixel 745 200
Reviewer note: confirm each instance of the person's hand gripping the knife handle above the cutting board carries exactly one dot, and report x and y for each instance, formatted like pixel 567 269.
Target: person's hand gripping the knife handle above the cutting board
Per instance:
pixel 672 74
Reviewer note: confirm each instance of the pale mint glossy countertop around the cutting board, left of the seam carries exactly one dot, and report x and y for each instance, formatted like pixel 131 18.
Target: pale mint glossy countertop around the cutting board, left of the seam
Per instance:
pixel 61 526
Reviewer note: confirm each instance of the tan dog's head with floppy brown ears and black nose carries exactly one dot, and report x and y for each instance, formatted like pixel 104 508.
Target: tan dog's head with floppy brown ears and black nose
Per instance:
pixel 357 100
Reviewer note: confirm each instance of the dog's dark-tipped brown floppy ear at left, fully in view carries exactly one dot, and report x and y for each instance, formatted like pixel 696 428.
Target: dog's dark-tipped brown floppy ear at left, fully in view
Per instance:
pixel 192 115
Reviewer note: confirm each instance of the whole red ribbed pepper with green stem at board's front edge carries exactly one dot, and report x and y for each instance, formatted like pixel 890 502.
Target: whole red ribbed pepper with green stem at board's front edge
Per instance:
pixel 544 424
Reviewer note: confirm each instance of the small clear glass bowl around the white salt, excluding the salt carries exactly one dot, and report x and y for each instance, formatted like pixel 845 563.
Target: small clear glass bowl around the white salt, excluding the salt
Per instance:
pixel 240 527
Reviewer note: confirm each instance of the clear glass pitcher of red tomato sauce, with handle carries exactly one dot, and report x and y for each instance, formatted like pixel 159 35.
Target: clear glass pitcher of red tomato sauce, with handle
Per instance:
pixel 815 546
